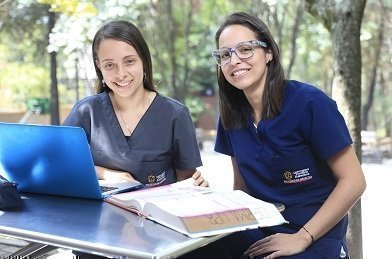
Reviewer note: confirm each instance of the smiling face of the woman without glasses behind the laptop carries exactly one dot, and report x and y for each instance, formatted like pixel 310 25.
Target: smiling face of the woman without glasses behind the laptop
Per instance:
pixel 121 67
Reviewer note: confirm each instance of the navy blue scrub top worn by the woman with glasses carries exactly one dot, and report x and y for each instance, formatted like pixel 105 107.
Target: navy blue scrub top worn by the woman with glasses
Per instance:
pixel 283 160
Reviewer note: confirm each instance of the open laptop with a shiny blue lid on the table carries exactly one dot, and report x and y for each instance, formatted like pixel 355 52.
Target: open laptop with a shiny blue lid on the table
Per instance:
pixel 53 160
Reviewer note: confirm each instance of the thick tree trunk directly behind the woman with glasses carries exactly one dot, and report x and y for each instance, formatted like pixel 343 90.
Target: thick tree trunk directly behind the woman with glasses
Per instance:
pixel 343 20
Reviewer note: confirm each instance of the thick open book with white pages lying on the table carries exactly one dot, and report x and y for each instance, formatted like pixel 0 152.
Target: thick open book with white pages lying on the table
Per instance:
pixel 198 211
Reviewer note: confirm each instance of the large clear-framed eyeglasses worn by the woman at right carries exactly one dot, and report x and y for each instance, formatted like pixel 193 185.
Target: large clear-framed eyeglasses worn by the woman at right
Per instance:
pixel 244 50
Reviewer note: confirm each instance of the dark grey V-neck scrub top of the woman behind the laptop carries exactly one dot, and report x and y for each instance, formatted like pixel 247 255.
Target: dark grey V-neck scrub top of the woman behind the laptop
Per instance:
pixel 163 140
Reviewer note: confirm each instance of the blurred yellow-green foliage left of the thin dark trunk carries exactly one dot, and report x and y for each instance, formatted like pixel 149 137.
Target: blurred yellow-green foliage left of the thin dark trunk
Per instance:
pixel 23 42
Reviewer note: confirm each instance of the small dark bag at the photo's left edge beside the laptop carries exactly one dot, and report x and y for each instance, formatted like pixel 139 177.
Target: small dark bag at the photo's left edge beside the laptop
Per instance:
pixel 10 198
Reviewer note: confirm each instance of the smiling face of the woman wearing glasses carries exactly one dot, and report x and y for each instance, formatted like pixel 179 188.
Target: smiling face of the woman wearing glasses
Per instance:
pixel 246 74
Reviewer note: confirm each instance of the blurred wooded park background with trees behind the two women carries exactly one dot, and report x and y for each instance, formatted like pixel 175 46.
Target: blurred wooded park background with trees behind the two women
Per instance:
pixel 342 47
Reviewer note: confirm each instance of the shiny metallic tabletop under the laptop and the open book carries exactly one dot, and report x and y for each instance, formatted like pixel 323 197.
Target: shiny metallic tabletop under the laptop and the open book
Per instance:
pixel 94 226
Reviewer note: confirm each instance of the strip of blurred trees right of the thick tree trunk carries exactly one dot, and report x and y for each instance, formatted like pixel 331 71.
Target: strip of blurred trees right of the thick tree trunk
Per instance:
pixel 376 114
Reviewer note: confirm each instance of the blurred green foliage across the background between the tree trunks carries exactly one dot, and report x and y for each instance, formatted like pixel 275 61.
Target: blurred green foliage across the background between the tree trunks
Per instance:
pixel 25 43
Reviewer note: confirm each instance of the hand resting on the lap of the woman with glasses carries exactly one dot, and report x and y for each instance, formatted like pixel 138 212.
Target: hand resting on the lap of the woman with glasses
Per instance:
pixel 280 244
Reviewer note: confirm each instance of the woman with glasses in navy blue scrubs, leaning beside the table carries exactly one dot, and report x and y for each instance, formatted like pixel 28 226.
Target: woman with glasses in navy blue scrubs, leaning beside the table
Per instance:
pixel 288 144
